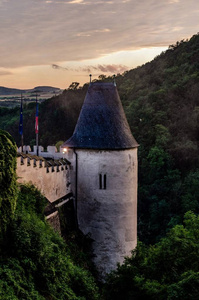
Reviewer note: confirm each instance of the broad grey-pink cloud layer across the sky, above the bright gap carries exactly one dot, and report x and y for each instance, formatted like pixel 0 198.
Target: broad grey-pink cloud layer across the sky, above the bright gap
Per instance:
pixel 40 32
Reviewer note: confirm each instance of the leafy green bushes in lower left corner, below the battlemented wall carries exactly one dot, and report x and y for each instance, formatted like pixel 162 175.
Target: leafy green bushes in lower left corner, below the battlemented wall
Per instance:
pixel 34 260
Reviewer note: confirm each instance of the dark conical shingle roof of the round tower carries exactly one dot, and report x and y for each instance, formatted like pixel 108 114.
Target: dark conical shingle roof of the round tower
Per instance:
pixel 102 123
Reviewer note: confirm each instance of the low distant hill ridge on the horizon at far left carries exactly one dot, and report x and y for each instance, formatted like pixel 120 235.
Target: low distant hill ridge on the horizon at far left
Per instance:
pixel 12 91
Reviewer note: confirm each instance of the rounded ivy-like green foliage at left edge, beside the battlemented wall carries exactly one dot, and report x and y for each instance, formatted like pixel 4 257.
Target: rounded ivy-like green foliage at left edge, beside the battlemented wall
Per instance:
pixel 8 188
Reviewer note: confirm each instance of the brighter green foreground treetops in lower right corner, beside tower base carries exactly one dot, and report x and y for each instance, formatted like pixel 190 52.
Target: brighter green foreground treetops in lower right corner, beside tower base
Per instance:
pixel 168 270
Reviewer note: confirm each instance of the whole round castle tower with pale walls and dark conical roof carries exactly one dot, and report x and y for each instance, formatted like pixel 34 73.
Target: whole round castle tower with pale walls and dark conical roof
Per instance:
pixel 105 167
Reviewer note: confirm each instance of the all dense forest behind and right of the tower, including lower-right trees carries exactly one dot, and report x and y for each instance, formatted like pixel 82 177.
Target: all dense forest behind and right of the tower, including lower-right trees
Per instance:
pixel 161 102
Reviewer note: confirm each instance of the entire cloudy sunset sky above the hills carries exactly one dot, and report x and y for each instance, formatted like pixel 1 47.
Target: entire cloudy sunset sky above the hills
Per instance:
pixel 56 42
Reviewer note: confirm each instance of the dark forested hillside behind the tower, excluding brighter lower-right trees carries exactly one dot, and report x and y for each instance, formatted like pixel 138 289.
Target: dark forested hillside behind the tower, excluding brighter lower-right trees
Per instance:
pixel 161 101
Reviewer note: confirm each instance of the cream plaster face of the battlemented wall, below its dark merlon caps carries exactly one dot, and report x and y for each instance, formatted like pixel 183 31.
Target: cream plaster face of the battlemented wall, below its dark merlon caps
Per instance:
pixel 53 185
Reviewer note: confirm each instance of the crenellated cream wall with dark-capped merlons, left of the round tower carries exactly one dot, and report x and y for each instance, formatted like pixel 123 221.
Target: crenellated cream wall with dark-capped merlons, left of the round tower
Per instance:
pixel 51 177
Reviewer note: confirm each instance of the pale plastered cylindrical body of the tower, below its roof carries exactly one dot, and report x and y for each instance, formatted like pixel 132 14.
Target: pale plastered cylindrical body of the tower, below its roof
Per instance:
pixel 109 216
